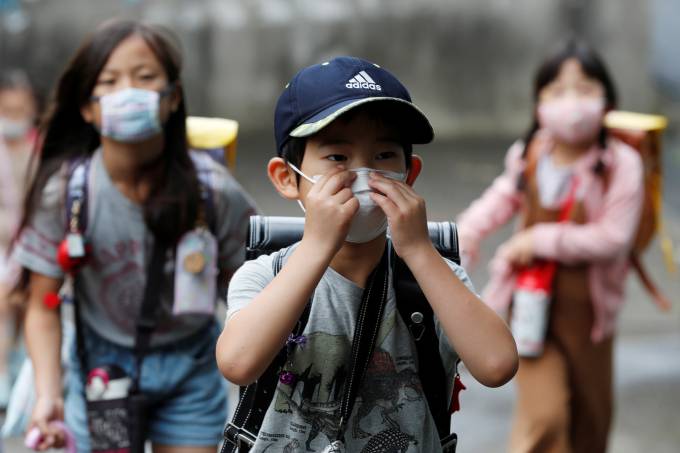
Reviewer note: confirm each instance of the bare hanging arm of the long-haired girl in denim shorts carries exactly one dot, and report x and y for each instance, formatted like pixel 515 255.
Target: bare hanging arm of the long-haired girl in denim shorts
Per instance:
pixel 42 330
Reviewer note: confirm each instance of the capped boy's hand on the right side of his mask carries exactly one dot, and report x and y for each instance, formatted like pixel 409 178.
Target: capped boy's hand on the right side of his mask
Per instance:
pixel 405 211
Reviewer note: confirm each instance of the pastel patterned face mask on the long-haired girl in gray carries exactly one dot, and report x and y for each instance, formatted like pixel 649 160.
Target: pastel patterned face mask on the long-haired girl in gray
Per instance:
pixel 131 115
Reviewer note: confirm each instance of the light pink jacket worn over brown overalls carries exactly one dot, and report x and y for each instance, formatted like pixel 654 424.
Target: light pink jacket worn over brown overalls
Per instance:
pixel 604 241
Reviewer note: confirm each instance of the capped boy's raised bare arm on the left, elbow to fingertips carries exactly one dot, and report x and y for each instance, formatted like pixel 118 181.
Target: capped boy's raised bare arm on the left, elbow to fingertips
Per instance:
pixel 255 334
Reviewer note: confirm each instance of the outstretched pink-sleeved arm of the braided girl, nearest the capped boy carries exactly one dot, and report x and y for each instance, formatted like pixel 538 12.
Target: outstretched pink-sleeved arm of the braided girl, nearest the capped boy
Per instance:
pixel 495 207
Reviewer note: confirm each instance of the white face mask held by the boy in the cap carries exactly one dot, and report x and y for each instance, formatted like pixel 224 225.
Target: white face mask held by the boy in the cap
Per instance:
pixel 369 221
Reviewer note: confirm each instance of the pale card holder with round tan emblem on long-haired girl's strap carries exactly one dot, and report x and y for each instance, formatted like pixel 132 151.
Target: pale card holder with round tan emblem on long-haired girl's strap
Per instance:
pixel 196 273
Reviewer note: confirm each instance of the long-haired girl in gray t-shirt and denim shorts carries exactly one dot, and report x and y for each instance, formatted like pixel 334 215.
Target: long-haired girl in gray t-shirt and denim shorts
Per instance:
pixel 119 106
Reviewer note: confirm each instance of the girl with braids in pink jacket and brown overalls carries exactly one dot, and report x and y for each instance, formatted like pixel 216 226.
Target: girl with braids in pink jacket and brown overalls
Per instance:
pixel 565 395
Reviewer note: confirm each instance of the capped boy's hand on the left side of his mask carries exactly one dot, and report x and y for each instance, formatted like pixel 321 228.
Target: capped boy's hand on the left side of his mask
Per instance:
pixel 330 207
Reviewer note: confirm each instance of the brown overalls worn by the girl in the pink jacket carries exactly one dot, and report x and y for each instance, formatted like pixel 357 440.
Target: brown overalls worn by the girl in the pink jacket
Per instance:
pixel 564 397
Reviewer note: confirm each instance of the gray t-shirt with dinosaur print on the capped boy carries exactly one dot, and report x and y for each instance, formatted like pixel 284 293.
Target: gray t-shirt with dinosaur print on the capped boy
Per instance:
pixel 391 409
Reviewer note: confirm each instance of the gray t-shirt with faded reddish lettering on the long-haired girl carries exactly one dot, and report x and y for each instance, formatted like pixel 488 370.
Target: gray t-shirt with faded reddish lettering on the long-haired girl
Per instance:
pixel 110 287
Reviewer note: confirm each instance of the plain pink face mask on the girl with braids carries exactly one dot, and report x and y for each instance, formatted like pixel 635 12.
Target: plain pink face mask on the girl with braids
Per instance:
pixel 572 121
